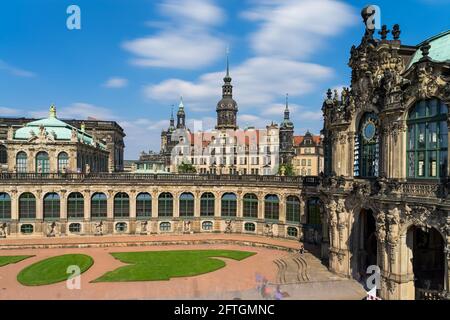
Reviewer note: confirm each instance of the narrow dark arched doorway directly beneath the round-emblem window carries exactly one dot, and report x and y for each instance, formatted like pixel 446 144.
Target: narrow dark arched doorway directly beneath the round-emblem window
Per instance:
pixel 366 241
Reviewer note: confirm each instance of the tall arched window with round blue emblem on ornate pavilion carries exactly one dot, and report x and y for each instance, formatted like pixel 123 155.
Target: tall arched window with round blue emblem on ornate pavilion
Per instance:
pixel 367 147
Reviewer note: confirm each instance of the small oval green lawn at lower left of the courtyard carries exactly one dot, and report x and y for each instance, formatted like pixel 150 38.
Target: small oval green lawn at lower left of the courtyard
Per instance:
pixel 53 270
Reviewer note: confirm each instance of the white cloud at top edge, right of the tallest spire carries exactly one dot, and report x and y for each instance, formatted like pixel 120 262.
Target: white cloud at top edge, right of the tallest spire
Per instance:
pixel 297 28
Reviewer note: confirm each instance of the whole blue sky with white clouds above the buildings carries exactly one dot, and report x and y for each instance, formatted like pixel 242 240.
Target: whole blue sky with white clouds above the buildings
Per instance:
pixel 133 59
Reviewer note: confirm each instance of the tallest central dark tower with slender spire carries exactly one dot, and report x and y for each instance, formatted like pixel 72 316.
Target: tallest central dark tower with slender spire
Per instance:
pixel 227 107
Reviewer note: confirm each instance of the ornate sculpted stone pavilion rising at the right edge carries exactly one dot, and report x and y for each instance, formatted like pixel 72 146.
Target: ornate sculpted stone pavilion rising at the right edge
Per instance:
pixel 386 183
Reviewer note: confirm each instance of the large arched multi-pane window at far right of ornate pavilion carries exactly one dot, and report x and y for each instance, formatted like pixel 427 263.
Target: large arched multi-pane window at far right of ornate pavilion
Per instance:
pixel 427 140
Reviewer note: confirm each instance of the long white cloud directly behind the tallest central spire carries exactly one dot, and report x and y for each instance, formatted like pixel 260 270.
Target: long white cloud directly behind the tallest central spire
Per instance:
pixel 259 83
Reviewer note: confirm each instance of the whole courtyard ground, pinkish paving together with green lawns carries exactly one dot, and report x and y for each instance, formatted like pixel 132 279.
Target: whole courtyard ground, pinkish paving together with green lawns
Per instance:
pixel 216 267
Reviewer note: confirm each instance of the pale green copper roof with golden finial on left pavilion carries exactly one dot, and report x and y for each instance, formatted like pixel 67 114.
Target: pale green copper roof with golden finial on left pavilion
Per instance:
pixel 60 130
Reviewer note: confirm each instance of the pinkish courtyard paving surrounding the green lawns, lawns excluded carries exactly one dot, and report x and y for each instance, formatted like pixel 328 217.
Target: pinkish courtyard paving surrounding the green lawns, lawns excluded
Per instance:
pixel 236 280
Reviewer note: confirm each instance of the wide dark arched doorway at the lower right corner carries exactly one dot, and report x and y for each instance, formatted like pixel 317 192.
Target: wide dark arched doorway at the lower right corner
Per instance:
pixel 427 262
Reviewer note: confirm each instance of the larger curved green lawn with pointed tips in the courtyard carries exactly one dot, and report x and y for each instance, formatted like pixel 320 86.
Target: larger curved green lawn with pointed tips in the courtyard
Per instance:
pixel 163 265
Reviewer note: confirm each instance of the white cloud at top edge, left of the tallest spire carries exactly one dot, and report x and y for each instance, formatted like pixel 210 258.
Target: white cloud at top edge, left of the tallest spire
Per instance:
pixel 186 42
